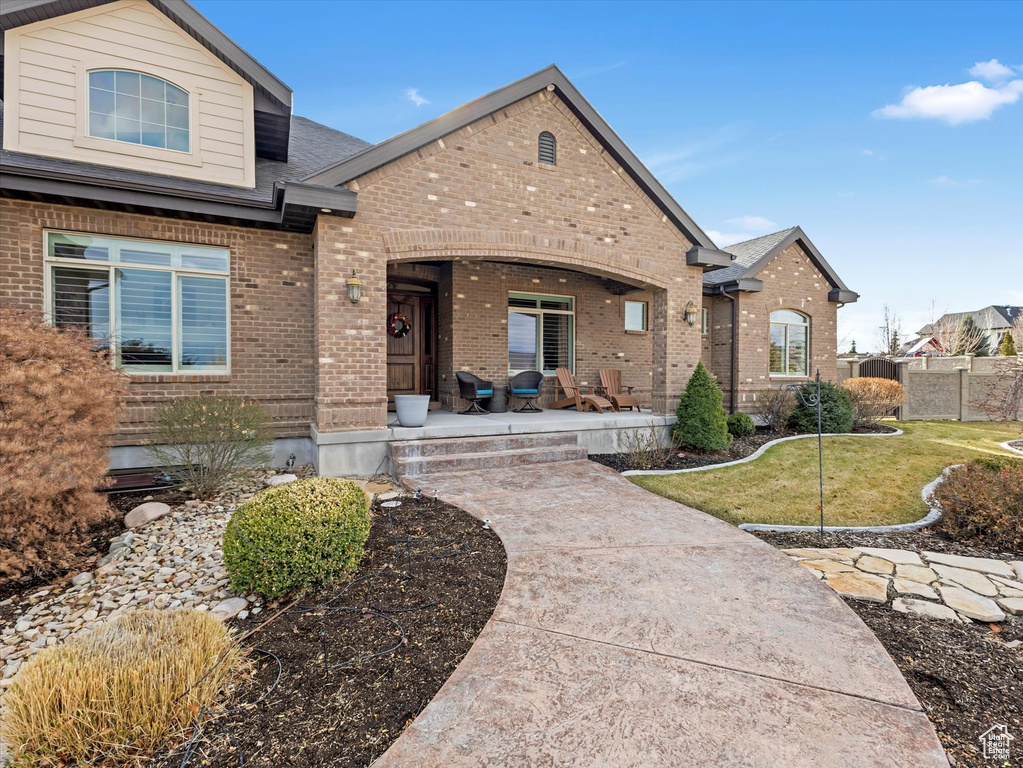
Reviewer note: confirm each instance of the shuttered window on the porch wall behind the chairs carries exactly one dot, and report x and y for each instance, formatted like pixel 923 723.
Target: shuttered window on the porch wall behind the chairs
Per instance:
pixel 542 333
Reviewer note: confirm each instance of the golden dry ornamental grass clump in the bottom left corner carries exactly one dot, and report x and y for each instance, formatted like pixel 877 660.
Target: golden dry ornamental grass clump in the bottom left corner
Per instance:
pixel 121 691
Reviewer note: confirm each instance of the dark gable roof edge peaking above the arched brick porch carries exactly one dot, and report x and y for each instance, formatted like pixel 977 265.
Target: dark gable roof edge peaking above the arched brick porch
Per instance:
pixel 405 144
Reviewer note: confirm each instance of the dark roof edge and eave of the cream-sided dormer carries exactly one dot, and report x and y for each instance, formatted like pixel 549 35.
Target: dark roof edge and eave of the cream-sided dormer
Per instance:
pixel 273 98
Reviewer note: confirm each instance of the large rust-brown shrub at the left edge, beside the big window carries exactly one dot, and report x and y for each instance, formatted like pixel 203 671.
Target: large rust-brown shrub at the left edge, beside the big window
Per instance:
pixel 58 406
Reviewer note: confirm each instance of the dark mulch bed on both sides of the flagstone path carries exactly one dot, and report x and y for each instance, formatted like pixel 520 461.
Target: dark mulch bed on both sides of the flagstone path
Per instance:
pixel 965 675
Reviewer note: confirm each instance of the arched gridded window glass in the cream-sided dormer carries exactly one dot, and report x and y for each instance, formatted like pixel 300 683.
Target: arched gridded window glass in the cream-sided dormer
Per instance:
pixel 139 109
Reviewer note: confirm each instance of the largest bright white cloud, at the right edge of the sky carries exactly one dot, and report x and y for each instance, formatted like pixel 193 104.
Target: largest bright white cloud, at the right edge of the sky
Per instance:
pixel 953 104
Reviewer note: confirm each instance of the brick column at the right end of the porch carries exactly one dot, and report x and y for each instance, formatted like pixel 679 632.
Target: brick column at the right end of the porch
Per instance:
pixel 677 346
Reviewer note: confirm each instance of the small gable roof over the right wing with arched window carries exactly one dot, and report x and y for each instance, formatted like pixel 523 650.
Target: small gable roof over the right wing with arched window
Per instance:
pixel 753 256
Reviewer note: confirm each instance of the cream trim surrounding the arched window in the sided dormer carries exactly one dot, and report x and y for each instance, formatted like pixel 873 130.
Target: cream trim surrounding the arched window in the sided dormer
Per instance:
pixel 82 139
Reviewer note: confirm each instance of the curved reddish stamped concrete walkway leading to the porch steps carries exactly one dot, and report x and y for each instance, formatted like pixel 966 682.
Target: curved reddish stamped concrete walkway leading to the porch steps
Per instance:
pixel 635 631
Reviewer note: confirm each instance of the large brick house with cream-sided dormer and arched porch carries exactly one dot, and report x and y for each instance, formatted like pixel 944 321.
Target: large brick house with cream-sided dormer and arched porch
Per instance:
pixel 158 191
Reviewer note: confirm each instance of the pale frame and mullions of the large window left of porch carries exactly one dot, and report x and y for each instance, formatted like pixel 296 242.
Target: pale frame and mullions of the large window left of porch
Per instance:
pixel 176 370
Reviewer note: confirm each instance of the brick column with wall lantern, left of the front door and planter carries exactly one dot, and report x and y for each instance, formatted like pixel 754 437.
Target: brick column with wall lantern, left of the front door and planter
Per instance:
pixel 351 339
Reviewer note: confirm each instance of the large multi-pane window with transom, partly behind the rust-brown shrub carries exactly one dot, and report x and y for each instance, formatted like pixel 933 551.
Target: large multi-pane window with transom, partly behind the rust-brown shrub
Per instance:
pixel 158 307
